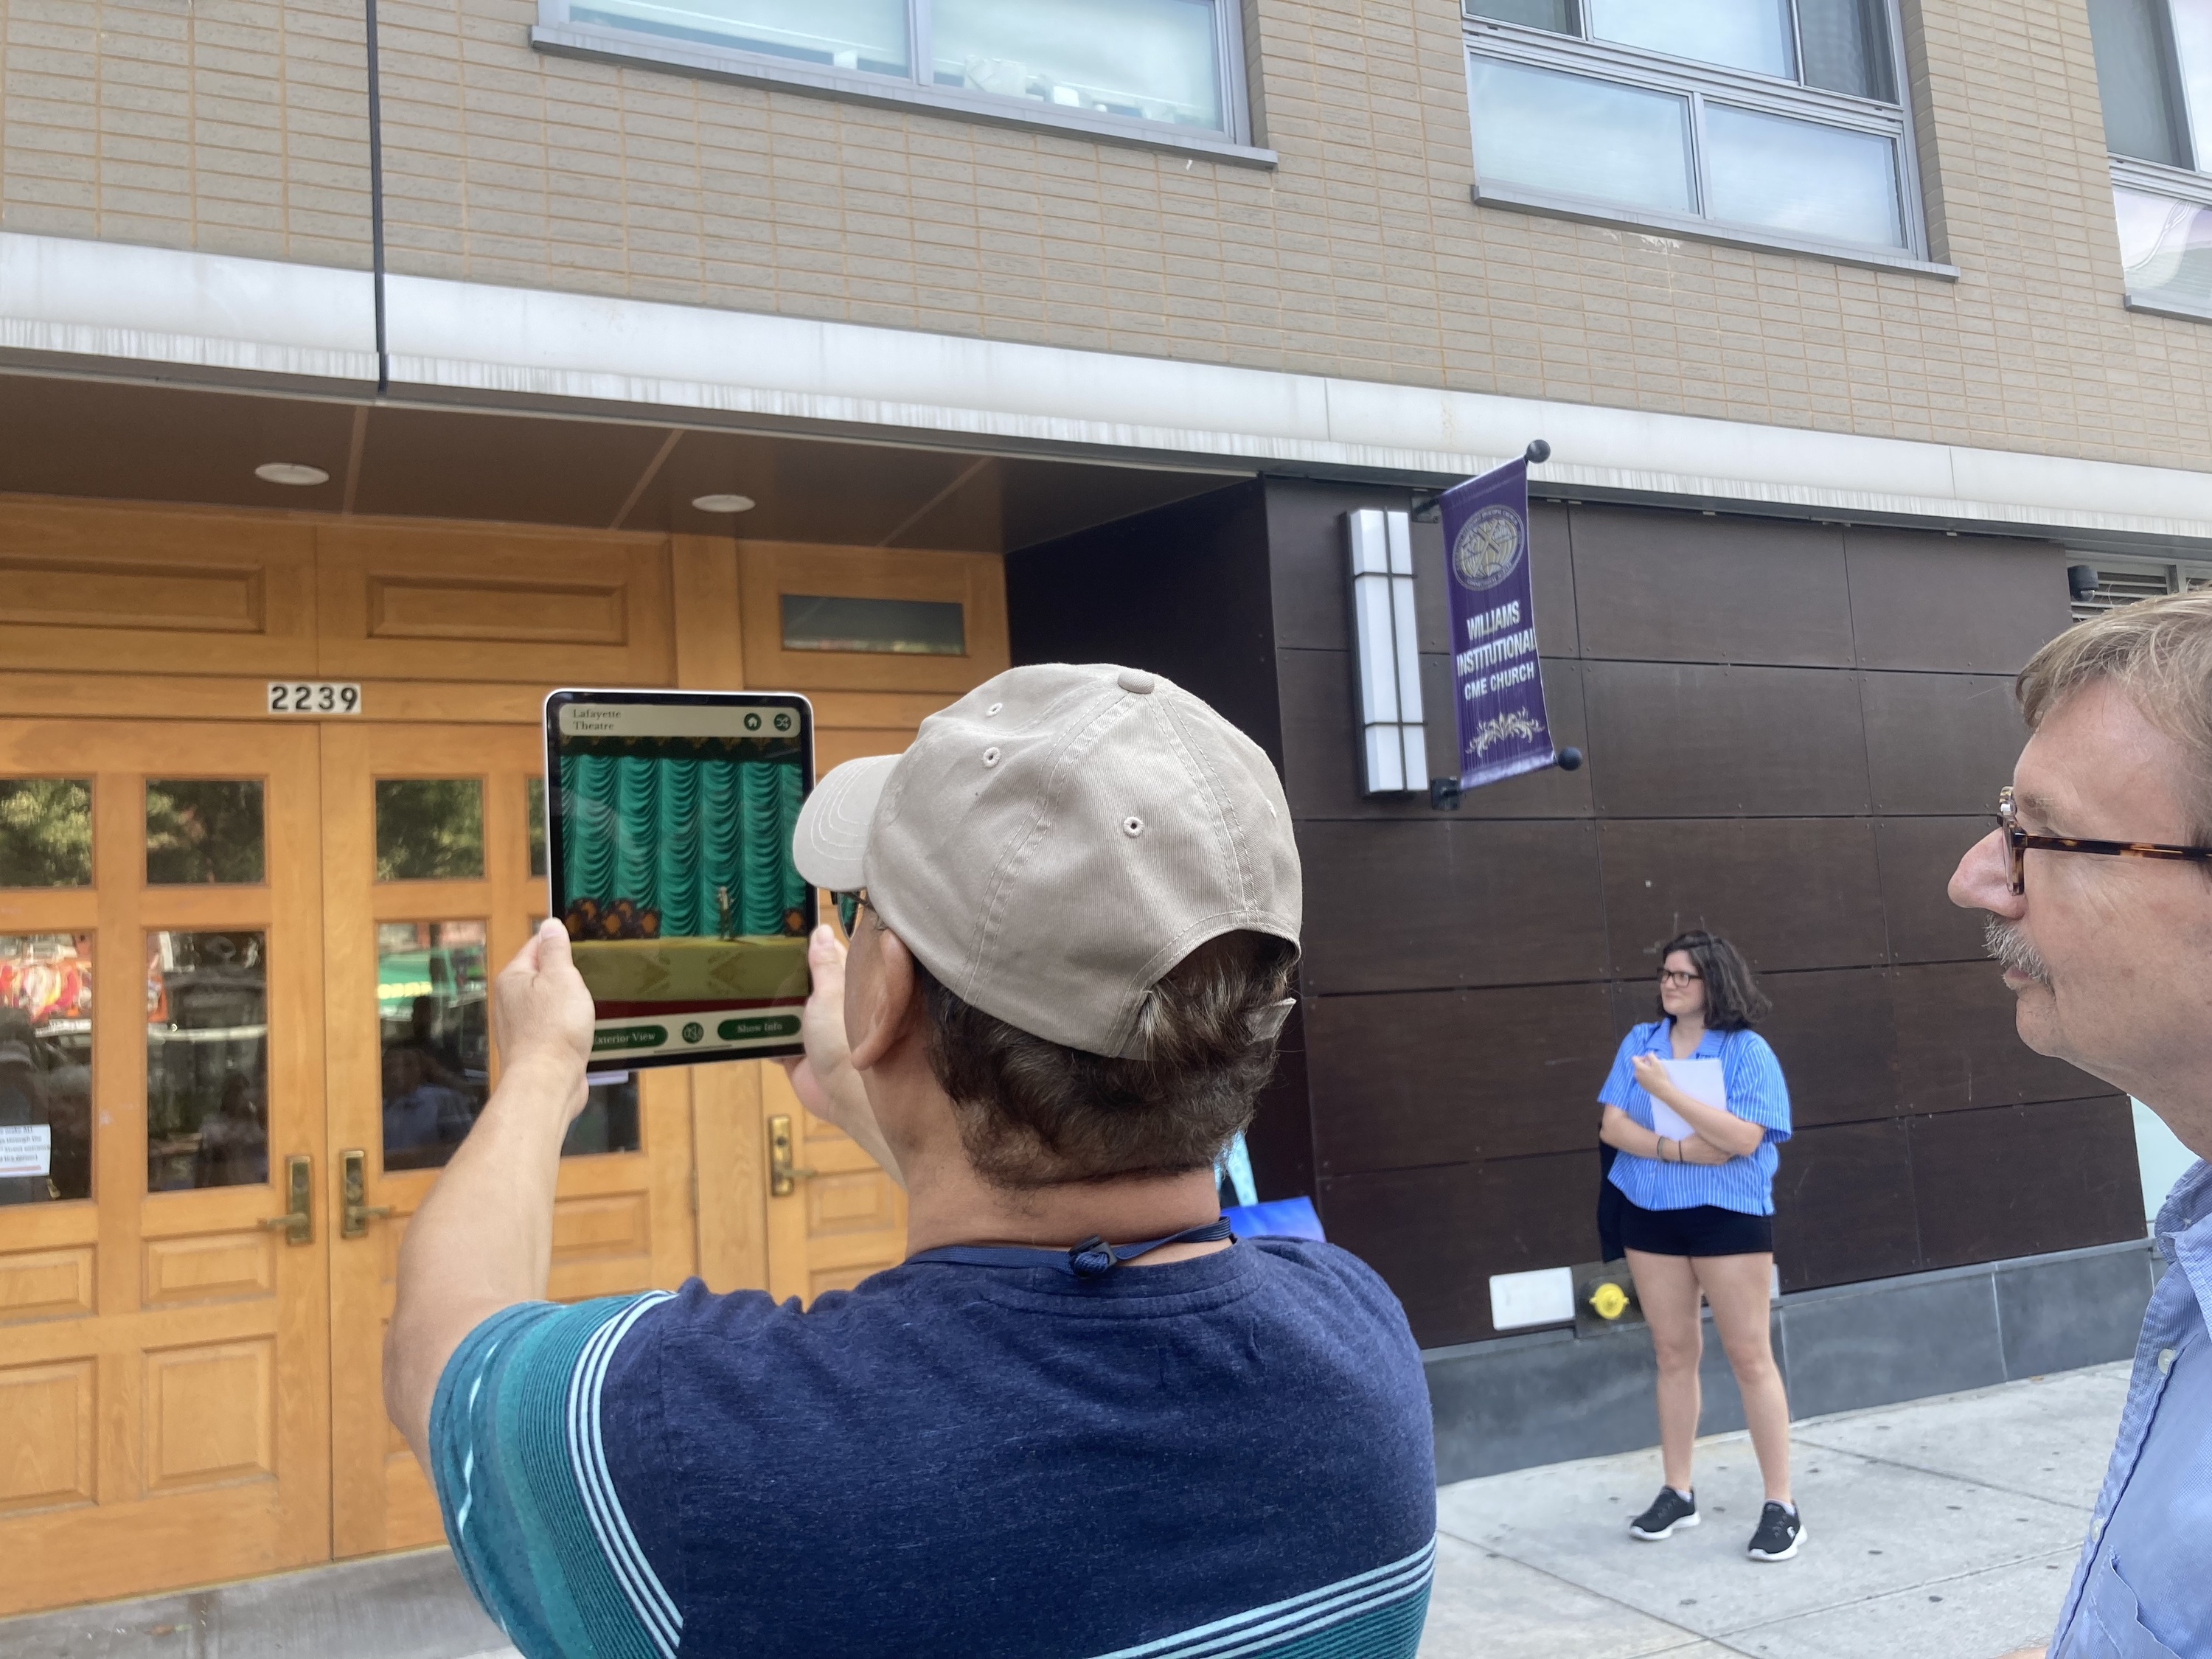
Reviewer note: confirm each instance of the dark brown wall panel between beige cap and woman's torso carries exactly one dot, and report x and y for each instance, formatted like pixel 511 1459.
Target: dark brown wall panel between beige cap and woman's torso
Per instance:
pixel 1457 1076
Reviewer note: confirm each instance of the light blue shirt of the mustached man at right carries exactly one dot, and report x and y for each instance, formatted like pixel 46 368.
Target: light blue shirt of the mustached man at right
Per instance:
pixel 2145 1583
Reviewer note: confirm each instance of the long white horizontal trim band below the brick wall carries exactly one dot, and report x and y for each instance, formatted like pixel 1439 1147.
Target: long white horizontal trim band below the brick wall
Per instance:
pixel 114 304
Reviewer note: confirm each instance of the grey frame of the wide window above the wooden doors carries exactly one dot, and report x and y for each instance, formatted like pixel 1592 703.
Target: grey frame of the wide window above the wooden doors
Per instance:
pixel 609 43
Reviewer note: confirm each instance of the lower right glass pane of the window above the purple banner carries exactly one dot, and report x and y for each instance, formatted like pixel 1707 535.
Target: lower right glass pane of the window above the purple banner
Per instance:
pixel 1802 176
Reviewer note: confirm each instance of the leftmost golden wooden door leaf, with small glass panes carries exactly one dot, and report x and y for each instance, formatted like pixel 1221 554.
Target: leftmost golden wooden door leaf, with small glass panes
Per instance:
pixel 145 1437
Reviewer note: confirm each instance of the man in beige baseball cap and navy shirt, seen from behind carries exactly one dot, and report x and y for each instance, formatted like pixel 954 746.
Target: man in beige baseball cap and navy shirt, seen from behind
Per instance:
pixel 1078 1421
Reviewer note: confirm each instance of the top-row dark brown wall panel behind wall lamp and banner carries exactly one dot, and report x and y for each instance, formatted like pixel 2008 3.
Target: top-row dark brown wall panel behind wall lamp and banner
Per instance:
pixel 1313 583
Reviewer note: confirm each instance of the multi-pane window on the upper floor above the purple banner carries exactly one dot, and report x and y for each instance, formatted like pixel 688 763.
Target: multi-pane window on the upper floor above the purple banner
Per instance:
pixel 1773 123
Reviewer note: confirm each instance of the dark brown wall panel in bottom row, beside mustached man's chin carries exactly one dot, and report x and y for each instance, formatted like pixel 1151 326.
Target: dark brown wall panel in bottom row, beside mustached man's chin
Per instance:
pixel 2023 1180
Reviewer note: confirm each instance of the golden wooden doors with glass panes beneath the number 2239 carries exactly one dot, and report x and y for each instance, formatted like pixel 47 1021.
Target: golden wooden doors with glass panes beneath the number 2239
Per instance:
pixel 244 981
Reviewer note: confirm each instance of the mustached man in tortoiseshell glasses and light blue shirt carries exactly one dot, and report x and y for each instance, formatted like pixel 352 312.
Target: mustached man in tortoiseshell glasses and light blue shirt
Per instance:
pixel 2105 932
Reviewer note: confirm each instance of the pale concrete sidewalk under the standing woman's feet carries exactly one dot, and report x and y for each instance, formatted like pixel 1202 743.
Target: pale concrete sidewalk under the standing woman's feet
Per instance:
pixel 1941 1530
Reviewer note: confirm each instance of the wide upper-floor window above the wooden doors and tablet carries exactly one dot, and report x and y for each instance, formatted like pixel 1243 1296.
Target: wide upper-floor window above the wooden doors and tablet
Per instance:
pixel 1167 70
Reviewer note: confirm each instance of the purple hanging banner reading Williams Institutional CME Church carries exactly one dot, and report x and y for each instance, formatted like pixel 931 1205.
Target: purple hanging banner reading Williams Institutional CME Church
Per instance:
pixel 1496 680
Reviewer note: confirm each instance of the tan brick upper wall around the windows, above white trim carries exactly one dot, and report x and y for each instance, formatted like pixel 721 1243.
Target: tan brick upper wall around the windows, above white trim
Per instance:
pixel 238 127
